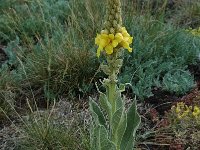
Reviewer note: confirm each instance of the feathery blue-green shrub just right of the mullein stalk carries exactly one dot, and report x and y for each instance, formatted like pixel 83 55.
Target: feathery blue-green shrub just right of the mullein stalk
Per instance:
pixel 161 51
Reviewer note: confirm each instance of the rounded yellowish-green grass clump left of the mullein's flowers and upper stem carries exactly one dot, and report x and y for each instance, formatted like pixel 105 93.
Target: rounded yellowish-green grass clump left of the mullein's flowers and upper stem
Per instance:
pixel 57 66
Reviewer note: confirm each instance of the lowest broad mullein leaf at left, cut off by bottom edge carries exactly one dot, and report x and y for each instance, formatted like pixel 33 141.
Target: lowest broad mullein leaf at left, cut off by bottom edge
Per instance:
pixel 101 141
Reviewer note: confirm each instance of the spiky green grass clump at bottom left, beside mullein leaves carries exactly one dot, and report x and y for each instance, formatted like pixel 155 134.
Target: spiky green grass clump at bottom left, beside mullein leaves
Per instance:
pixel 49 130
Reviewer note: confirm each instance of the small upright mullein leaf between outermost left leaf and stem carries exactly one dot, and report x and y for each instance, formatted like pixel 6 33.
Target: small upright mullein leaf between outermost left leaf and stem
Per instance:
pixel 105 104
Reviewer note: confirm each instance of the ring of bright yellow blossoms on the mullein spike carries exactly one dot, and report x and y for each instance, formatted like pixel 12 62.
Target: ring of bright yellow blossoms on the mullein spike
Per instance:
pixel 108 42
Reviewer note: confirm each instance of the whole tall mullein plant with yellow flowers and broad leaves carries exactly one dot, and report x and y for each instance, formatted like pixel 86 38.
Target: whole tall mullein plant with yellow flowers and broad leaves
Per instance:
pixel 113 126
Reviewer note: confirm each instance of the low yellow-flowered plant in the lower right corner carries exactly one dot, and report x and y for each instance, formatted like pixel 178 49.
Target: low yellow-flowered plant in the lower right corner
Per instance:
pixel 185 121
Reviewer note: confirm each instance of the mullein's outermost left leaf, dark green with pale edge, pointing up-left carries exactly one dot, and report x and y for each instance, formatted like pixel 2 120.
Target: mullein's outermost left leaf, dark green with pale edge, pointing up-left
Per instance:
pixel 97 113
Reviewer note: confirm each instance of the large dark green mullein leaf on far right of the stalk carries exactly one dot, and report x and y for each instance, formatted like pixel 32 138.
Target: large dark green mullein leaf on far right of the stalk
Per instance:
pixel 133 121
